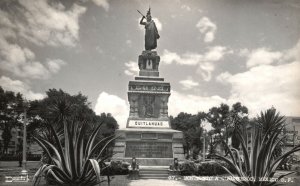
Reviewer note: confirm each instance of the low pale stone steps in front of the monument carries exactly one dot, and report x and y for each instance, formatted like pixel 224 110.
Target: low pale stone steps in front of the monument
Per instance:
pixel 153 172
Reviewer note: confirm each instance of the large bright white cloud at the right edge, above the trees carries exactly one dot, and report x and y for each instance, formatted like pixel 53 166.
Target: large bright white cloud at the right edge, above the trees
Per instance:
pixel 265 86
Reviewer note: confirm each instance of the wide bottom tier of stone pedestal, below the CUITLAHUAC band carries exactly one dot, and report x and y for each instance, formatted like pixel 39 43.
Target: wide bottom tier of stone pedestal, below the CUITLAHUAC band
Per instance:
pixel 149 146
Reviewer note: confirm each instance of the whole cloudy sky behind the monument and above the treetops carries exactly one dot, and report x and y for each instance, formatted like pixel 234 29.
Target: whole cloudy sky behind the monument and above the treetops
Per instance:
pixel 212 51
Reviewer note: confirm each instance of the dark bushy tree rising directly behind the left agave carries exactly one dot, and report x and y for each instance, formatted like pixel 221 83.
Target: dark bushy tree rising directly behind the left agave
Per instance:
pixel 56 107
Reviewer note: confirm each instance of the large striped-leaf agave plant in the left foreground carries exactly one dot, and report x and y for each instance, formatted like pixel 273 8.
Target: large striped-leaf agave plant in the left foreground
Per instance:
pixel 72 156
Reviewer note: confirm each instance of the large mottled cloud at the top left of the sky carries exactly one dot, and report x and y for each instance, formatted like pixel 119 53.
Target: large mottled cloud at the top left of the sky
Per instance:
pixel 47 24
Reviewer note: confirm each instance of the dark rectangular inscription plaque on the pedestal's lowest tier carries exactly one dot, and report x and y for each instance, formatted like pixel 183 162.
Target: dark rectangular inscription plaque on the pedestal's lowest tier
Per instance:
pixel 148 149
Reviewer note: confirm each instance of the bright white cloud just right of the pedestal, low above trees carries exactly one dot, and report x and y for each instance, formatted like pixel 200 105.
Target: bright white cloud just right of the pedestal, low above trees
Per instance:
pixel 179 102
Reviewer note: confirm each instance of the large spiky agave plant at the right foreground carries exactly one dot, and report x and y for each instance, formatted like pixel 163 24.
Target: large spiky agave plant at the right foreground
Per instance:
pixel 258 167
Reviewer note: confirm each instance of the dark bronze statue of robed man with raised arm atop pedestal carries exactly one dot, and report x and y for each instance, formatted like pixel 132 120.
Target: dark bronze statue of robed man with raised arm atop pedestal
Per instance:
pixel 151 34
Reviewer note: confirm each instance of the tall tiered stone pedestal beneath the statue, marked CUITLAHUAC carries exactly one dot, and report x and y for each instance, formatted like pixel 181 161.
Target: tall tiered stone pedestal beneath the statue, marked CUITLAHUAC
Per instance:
pixel 148 135
